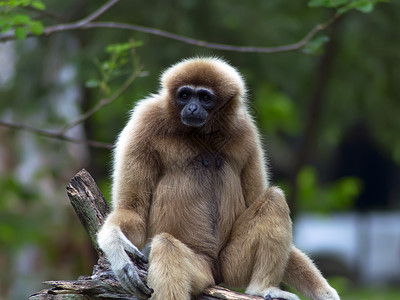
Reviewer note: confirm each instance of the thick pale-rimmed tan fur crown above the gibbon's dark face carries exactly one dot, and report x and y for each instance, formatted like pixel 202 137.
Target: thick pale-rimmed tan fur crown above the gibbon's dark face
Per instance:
pixel 213 73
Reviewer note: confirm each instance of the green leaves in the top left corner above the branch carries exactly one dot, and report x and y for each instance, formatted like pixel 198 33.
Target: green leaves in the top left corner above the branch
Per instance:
pixel 10 18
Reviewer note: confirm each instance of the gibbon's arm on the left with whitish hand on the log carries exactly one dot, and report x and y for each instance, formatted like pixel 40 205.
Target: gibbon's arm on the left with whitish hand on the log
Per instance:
pixel 124 231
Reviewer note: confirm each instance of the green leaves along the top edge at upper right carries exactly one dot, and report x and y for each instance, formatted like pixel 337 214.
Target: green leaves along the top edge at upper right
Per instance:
pixel 343 6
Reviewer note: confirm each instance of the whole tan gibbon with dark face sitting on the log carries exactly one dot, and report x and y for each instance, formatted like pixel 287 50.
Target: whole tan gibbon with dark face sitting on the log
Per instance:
pixel 190 179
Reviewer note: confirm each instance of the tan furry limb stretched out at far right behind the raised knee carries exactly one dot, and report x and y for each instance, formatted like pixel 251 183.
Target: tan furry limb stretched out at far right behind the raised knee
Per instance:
pixel 302 275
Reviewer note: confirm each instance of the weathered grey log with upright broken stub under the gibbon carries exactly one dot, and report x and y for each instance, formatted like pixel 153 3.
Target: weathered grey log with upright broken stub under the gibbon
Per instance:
pixel 92 208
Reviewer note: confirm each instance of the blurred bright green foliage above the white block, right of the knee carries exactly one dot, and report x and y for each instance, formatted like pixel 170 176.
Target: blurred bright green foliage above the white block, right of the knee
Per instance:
pixel 337 196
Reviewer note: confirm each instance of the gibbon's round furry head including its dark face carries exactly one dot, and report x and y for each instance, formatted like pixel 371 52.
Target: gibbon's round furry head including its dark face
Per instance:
pixel 199 86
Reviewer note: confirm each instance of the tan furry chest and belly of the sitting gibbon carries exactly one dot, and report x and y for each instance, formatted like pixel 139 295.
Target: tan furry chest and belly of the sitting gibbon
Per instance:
pixel 198 197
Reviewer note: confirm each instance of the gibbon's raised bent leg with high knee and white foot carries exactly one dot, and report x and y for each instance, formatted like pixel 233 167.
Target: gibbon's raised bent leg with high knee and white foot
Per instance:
pixel 257 251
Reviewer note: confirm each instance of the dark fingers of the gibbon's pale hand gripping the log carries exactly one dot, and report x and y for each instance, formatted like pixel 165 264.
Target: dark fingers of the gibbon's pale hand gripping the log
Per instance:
pixel 133 283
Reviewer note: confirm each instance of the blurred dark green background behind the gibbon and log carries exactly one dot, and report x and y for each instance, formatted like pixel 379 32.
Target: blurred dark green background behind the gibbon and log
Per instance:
pixel 328 114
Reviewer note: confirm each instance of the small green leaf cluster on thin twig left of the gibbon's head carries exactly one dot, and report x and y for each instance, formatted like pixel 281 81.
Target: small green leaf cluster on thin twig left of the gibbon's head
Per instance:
pixel 121 60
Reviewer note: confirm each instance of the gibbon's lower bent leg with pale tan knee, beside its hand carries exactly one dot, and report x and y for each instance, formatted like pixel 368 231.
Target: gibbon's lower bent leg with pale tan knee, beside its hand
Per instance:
pixel 175 271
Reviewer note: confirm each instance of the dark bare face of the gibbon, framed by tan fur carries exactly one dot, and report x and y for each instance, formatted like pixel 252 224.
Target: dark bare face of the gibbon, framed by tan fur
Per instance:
pixel 195 103
